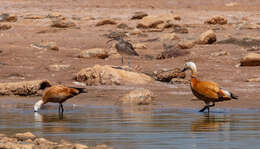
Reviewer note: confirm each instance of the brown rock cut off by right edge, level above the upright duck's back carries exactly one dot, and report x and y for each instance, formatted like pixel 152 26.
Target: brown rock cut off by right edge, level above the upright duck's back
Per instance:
pixel 251 59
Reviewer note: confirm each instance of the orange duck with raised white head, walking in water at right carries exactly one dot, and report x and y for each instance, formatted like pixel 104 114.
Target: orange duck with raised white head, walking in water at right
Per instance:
pixel 207 91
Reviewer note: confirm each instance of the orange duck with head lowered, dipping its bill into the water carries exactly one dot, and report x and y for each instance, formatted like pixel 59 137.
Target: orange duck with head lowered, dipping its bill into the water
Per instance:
pixel 57 94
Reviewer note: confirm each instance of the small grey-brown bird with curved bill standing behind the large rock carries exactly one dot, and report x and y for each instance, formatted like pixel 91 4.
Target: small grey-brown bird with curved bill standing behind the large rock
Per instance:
pixel 124 48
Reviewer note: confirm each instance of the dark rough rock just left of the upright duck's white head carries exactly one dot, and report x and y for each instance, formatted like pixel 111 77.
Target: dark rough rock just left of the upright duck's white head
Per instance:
pixel 168 75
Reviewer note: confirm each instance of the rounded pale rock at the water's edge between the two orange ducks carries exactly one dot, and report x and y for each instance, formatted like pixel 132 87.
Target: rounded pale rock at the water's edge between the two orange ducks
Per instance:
pixel 139 96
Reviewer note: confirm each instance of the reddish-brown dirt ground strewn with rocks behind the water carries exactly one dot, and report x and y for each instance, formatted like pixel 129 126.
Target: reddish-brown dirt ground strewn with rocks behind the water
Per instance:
pixel 23 62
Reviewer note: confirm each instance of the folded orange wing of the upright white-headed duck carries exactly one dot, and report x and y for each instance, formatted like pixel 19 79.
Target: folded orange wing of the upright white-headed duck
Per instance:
pixel 207 89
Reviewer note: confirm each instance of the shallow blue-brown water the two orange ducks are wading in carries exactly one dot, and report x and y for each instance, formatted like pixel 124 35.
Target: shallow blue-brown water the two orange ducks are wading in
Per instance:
pixel 139 127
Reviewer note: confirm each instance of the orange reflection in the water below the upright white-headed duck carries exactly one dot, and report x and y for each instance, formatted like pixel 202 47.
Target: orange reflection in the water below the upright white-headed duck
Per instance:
pixel 209 123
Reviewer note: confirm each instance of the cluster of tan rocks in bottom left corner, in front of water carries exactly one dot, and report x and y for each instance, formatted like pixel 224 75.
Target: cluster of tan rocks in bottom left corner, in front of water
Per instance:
pixel 30 141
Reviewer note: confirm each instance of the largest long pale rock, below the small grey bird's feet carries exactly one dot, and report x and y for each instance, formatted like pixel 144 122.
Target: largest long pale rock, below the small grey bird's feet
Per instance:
pixel 107 75
